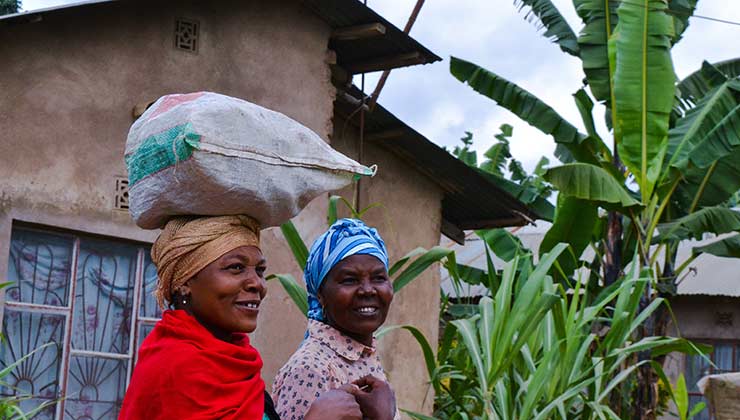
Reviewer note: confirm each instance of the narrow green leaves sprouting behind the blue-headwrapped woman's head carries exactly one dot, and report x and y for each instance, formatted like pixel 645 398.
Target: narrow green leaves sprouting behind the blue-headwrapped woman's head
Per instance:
pixel 402 272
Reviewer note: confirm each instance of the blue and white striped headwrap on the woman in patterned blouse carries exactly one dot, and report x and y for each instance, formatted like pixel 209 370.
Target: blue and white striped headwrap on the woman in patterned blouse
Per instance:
pixel 344 238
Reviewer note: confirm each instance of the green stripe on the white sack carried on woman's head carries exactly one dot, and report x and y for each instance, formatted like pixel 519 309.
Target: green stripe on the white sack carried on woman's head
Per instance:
pixel 161 151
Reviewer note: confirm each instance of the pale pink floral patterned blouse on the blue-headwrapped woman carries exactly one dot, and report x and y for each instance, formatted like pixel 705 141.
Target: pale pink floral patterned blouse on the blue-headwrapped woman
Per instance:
pixel 326 360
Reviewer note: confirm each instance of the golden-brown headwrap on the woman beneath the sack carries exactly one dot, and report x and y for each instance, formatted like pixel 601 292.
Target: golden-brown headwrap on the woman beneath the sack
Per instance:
pixel 186 245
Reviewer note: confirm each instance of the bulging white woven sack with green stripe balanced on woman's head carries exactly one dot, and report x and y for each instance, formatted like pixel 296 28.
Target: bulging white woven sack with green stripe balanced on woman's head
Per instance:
pixel 210 154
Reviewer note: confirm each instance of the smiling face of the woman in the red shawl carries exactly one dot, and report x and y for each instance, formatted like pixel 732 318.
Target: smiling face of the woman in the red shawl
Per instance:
pixel 226 294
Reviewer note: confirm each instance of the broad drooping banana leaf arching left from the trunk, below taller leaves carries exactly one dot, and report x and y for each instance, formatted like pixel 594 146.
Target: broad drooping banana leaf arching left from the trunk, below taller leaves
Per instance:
pixel 592 183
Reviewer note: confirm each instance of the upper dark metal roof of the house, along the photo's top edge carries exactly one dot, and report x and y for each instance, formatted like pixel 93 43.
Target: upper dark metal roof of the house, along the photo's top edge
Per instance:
pixel 391 50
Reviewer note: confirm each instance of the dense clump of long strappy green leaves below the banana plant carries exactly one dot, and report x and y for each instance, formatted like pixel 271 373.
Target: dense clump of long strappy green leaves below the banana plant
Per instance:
pixel 534 349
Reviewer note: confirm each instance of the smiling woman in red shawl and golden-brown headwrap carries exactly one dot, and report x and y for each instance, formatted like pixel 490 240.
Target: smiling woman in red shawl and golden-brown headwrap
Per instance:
pixel 197 363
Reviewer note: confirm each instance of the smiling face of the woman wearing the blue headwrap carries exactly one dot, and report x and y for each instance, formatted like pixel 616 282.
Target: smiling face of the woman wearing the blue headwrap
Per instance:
pixel 356 296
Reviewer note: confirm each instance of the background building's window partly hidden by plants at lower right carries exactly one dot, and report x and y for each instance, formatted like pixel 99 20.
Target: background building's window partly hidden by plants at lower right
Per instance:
pixel 725 357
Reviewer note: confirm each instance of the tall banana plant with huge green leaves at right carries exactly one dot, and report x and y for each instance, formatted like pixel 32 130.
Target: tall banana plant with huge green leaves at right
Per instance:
pixel 675 153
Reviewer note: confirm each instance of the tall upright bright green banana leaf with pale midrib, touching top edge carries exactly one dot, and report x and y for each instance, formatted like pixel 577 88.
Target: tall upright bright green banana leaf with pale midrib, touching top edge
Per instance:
pixel 644 79
